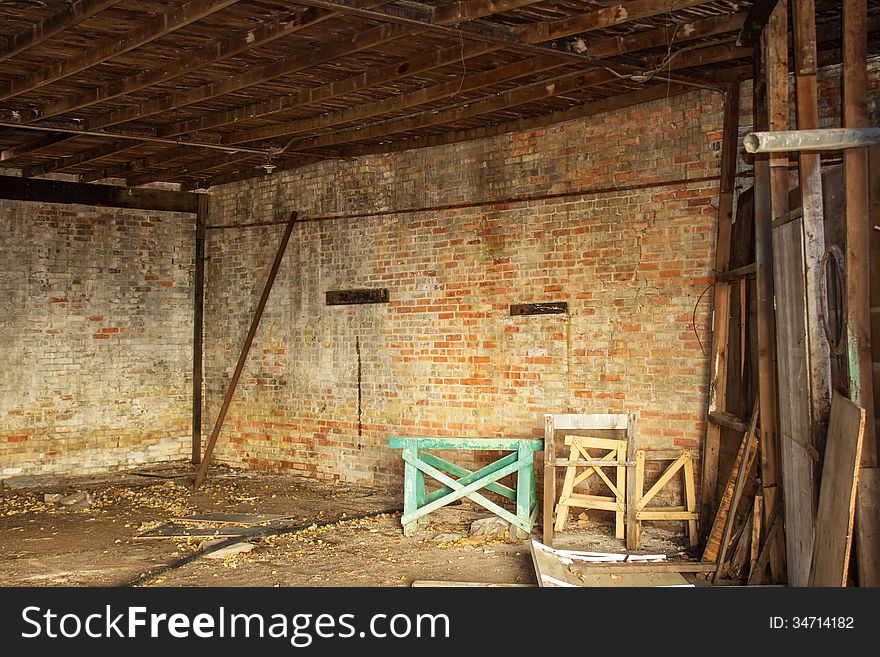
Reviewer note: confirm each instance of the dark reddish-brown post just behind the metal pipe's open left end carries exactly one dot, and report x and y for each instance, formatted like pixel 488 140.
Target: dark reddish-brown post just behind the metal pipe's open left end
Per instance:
pixel 766 320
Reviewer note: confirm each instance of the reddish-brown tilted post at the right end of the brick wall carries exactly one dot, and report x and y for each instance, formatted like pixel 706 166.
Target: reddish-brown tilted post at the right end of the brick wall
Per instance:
pixel 721 309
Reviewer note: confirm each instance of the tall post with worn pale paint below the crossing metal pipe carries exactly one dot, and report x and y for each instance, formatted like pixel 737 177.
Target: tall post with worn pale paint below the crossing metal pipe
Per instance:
pixel 805 66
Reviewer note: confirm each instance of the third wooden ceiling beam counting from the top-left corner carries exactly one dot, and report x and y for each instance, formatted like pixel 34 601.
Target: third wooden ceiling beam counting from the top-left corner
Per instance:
pixel 188 62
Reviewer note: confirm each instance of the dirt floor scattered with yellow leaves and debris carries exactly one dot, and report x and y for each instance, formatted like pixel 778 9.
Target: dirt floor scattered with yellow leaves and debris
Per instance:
pixel 47 543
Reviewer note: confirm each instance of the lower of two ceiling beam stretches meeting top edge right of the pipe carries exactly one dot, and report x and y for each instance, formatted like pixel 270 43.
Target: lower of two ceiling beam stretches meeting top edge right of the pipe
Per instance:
pixel 603 18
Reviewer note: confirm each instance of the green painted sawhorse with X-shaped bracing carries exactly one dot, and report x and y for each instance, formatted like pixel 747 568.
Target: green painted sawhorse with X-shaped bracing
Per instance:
pixel 418 463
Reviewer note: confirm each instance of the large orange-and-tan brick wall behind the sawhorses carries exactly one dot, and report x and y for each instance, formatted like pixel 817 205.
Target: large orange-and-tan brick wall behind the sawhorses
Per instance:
pixel 327 386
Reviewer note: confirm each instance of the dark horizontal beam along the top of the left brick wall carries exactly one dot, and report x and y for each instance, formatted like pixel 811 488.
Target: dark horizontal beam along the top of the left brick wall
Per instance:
pixel 56 191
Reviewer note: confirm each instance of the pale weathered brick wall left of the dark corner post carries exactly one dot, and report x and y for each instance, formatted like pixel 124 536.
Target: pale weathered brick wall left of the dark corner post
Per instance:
pixel 96 336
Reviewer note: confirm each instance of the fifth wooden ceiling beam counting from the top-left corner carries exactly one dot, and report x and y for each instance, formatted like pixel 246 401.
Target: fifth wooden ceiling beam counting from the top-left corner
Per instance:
pixel 371 78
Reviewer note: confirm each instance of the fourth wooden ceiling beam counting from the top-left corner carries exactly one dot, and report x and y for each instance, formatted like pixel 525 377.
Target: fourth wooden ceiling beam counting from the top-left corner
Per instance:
pixel 257 75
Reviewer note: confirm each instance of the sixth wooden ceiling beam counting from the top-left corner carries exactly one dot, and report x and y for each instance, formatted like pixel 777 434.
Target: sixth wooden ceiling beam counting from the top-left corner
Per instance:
pixel 400 102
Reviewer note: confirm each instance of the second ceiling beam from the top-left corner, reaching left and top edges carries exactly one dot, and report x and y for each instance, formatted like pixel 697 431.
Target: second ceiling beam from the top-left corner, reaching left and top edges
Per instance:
pixel 165 23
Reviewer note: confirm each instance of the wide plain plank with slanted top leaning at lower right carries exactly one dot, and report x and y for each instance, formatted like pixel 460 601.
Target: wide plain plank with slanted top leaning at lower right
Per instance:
pixel 837 495
